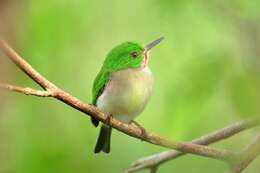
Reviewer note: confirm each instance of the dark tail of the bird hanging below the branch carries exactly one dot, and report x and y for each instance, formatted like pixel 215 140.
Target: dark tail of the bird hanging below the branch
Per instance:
pixel 103 142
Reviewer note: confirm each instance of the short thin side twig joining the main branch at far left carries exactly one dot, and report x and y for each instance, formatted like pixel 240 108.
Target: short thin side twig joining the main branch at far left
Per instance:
pixel 27 90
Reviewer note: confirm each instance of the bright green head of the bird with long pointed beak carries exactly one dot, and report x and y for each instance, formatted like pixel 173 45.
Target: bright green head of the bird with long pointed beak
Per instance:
pixel 129 55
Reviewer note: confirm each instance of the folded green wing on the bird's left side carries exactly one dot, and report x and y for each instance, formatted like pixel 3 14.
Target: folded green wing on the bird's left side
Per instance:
pixel 100 83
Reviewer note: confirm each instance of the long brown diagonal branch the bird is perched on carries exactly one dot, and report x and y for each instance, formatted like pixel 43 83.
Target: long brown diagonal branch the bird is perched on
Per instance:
pixel 130 130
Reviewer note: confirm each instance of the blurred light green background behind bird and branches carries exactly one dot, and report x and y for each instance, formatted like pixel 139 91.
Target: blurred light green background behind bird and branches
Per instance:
pixel 206 72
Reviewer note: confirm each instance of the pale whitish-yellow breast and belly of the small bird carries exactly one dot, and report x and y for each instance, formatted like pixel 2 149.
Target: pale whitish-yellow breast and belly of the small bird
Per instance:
pixel 127 93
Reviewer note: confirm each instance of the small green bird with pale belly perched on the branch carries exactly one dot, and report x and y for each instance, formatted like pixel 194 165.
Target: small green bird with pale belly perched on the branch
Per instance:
pixel 123 86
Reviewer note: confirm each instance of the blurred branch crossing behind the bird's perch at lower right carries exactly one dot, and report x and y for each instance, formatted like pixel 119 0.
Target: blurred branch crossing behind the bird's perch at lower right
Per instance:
pixel 157 159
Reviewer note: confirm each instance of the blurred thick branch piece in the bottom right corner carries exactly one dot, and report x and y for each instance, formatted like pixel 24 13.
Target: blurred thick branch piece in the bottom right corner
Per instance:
pixel 250 152
